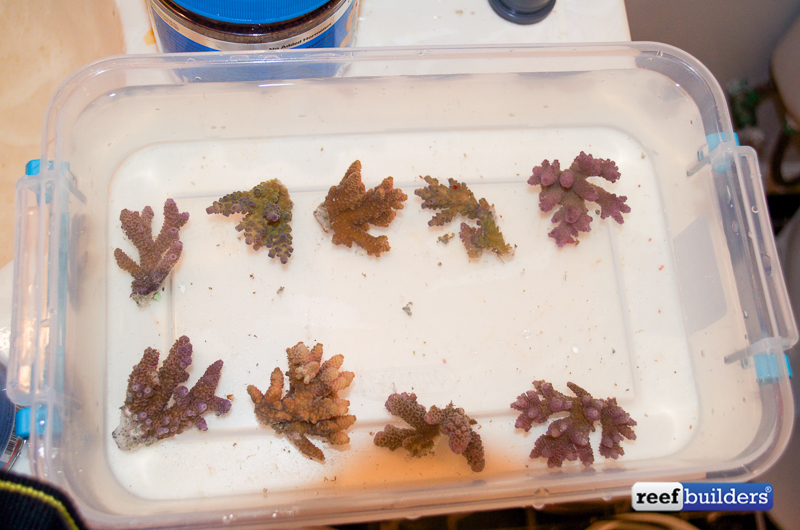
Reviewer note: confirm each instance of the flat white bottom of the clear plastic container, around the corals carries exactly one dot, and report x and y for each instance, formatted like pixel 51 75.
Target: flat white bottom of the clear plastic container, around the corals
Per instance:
pixel 603 314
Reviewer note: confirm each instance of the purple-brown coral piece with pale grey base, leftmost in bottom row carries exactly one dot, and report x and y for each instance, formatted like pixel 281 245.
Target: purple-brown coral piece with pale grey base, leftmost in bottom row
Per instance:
pixel 148 416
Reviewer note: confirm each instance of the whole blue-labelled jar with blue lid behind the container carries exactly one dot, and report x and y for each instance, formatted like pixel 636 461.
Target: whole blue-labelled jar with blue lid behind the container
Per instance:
pixel 234 25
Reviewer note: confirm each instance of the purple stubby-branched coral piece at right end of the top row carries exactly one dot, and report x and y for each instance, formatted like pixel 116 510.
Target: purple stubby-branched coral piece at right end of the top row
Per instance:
pixel 570 189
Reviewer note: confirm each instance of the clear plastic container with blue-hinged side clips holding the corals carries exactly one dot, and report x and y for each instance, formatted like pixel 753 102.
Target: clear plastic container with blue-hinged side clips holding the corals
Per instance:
pixel 680 313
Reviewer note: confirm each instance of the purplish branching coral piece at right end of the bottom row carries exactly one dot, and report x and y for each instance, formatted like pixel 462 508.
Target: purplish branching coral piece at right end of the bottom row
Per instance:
pixel 568 438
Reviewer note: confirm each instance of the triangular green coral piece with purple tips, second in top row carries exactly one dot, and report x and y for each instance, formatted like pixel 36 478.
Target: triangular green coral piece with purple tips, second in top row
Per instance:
pixel 267 212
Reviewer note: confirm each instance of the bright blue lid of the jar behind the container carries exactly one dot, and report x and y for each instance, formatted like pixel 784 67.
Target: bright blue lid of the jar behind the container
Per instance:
pixel 251 11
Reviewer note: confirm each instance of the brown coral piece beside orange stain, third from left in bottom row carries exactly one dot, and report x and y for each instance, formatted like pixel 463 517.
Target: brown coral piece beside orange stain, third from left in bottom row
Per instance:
pixel 426 428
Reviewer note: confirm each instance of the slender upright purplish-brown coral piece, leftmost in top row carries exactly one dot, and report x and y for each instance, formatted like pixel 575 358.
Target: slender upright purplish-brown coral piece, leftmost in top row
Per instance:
pixel 156 256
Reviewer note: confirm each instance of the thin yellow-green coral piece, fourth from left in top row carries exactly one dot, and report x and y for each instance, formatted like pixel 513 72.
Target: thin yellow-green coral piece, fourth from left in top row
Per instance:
pixel 456 199
